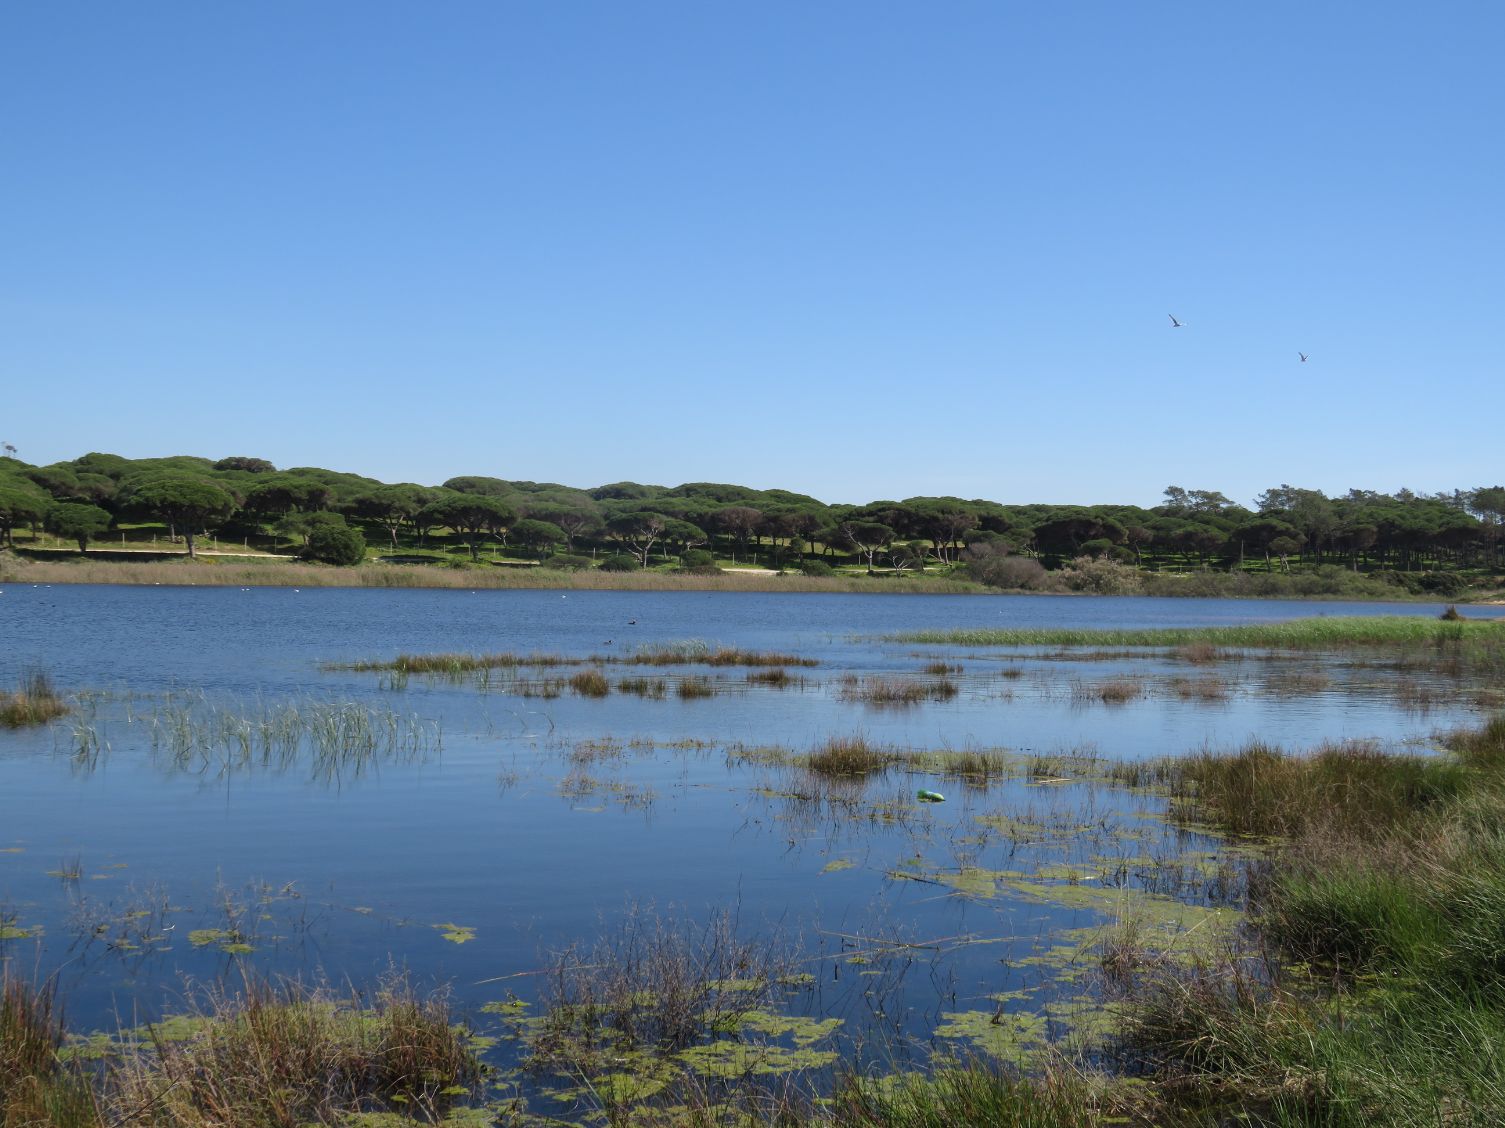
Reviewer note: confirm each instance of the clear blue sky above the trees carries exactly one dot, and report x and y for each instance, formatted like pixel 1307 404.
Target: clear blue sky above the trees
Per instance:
pixel 859 250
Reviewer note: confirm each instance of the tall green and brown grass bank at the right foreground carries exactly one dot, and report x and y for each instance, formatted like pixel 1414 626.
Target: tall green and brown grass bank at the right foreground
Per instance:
pixel 1378 995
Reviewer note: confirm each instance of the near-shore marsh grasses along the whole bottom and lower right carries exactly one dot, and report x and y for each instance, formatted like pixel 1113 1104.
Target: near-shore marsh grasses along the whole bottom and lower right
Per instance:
pixel 1366 989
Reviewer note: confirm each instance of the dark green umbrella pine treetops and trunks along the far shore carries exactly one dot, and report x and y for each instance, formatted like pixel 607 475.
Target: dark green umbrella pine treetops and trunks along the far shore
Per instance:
pixel 333 512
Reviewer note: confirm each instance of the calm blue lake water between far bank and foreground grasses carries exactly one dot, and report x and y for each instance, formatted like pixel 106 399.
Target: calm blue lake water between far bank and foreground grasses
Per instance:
pixel 493 826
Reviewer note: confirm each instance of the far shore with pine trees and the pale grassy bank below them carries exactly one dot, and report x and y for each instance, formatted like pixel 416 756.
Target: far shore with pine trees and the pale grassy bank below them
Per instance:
pixel 242 521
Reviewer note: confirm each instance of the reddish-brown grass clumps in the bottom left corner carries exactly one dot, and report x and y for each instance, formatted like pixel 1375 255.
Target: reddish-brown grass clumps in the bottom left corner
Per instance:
pixel 264 1057
